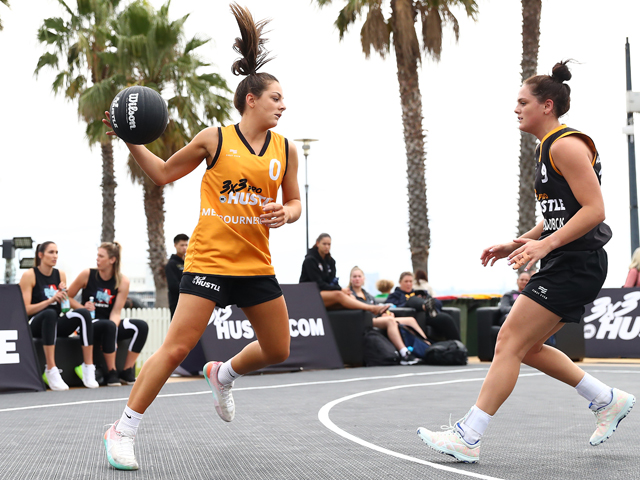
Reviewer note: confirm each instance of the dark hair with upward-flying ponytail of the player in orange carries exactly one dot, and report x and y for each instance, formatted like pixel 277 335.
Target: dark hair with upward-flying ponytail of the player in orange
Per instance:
pixel 250 45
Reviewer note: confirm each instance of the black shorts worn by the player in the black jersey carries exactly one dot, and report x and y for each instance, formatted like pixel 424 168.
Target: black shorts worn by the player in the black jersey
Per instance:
pixel 568 281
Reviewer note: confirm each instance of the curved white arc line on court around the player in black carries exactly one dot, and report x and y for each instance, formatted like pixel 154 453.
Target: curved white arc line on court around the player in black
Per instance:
pixel 323 416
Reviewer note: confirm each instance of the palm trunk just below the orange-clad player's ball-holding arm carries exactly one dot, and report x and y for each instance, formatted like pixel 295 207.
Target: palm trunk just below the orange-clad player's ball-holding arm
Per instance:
pixel 154 210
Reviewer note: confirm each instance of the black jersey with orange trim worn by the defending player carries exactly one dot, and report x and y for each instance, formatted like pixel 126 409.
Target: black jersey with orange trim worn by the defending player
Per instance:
pixel 557 202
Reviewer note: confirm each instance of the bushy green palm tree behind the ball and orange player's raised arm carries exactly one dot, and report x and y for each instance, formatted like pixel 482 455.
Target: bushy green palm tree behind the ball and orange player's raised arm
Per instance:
pixel 152 51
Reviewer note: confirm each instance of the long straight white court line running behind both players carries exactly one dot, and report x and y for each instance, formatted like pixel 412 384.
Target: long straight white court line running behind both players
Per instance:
pixel 264 387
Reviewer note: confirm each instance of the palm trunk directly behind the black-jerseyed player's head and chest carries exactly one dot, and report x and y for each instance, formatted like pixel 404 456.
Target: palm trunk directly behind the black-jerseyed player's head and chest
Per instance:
pixel 531 10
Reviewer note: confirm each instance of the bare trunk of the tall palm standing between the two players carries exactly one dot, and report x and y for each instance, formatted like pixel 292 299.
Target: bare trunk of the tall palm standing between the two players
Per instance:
pixel 411 102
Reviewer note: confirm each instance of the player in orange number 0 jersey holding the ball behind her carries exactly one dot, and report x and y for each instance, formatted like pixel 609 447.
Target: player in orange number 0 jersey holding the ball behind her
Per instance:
pixel 228 260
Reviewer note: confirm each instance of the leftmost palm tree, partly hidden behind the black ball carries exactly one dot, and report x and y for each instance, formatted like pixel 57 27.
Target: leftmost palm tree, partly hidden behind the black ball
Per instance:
pixel 79 54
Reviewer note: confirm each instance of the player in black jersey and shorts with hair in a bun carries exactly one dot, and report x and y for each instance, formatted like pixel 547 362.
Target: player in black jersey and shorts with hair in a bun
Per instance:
pixel 569 243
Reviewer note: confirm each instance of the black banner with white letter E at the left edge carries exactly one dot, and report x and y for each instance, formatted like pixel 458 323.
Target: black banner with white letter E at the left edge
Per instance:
pixel 19 371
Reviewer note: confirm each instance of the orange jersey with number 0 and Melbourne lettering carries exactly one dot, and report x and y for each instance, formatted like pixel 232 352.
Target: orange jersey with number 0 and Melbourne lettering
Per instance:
pixel 229 239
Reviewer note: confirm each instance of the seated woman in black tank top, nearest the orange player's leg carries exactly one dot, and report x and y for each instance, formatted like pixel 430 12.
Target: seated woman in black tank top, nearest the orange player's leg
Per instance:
pixel 109 289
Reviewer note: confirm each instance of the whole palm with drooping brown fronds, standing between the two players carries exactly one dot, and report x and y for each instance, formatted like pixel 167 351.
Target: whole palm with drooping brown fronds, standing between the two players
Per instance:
pixel 399 28
